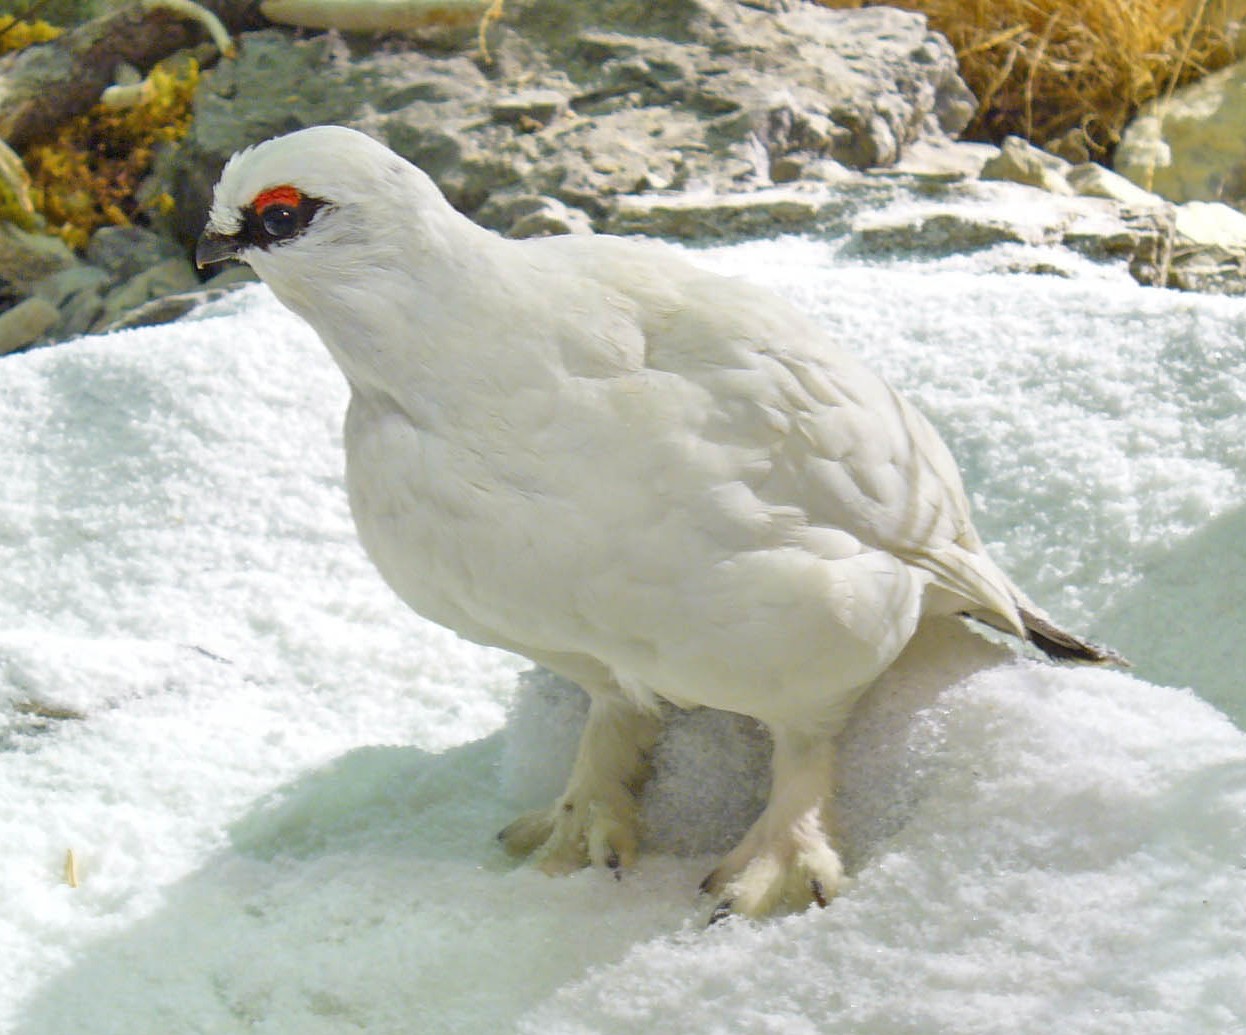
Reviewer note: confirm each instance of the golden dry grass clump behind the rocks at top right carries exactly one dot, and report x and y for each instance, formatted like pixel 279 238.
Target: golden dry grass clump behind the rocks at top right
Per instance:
pixel 1072 73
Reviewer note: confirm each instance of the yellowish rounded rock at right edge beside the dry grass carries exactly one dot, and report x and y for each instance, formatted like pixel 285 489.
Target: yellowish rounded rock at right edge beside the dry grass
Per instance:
pixel 1192 146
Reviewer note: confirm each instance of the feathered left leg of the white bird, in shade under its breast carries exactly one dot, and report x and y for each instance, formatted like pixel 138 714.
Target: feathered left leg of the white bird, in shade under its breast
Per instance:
pixel 596 819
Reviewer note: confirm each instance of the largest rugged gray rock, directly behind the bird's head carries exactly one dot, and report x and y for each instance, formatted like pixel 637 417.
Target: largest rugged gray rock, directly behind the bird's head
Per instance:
pixel 591 103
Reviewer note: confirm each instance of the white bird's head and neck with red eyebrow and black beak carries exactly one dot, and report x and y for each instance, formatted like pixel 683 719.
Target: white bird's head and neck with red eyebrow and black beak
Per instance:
pixel 347 234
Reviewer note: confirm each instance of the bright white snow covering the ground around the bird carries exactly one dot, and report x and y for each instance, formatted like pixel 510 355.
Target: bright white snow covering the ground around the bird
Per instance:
pixel 281 788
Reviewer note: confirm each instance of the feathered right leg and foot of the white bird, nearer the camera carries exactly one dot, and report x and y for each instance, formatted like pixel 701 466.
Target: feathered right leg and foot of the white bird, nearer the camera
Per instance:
pixel 787 859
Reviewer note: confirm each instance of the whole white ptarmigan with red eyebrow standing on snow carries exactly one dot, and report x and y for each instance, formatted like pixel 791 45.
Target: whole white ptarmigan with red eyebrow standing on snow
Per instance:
pixel 657 483
